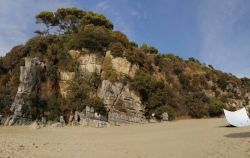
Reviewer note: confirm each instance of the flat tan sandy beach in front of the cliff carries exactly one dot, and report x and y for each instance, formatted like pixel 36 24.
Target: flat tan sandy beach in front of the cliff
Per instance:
pixel 178 139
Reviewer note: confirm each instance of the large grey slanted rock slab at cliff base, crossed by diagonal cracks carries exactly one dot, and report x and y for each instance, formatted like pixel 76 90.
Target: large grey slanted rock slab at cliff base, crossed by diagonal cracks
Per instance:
pixel 124 105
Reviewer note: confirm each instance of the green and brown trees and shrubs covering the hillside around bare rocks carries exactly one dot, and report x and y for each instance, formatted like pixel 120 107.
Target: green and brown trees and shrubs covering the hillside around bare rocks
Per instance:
pixel 164 82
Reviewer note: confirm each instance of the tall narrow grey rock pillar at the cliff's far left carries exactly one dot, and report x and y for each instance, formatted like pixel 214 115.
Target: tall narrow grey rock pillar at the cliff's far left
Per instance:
pixel 29 81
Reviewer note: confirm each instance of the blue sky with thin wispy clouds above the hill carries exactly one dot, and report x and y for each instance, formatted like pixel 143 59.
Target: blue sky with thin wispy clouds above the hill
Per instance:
pixel 213 31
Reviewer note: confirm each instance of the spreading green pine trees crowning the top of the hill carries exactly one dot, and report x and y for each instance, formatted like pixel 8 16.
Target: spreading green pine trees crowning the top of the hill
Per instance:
pixel 68 20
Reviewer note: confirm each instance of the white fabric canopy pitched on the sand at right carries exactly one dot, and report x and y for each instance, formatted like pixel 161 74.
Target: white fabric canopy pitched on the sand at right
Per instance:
pixel 237 118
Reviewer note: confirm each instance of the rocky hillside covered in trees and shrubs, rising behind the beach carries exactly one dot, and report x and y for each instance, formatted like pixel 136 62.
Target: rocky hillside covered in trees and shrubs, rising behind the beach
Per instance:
pixel 79 63
